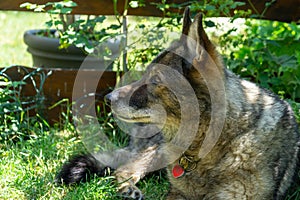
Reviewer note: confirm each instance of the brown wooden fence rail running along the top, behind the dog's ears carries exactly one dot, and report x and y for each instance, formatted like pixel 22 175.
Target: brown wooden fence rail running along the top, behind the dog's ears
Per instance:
pixel 281 10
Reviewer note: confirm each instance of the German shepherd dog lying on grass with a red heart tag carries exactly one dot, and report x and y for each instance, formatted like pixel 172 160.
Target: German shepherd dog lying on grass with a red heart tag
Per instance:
pixel 218 136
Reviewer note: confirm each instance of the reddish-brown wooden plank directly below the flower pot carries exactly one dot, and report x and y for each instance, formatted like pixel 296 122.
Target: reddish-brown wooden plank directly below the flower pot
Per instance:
pixel 59 85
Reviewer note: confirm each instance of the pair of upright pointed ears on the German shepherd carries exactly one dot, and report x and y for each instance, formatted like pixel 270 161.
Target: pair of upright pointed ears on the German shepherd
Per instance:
pixel 199 50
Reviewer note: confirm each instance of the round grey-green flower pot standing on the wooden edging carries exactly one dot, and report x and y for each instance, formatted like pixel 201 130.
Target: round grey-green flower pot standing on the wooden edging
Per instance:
pixel 46 53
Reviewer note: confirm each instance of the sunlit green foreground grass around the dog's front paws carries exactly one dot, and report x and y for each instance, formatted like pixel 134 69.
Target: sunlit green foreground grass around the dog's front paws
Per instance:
pixel 28 170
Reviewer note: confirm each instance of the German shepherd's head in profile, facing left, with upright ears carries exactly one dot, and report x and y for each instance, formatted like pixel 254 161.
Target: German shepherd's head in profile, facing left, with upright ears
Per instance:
pixel 172 86
